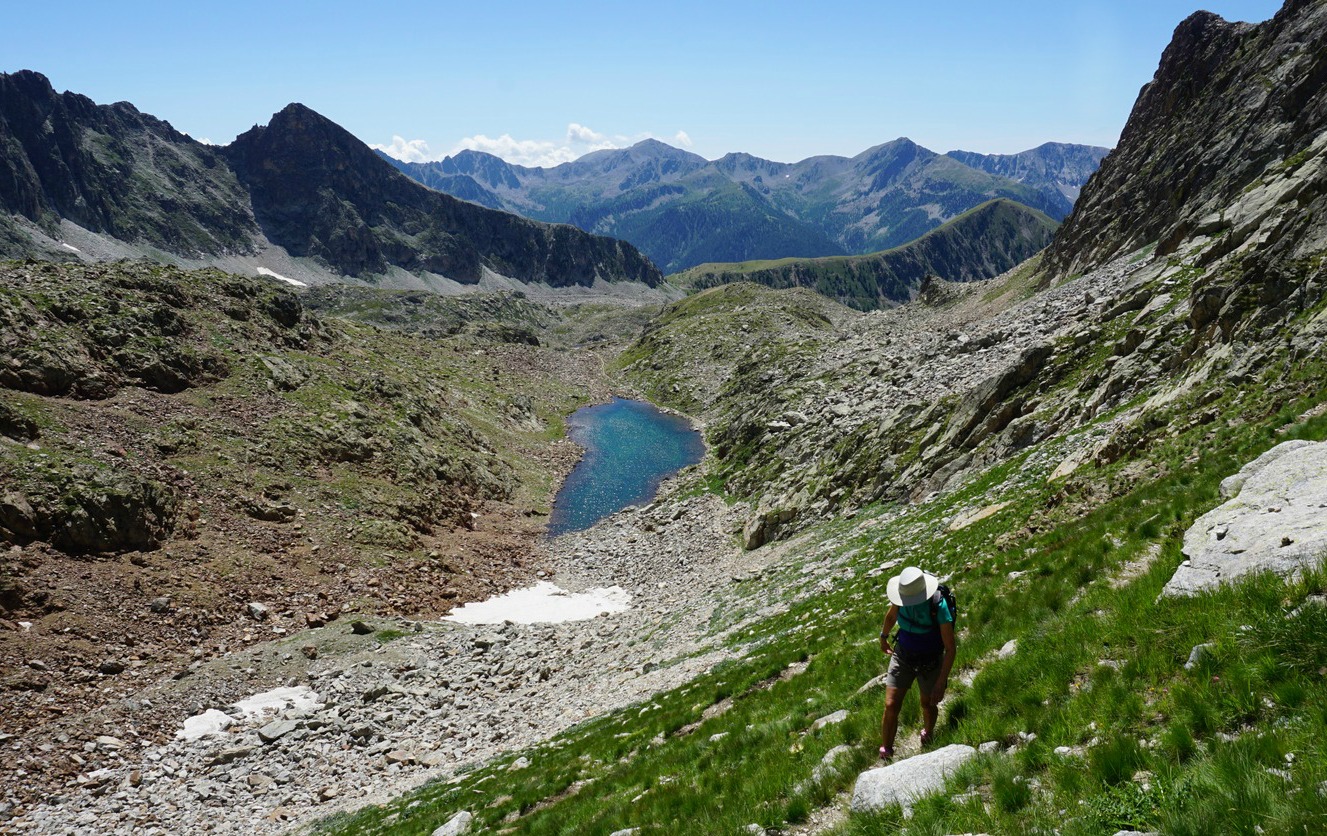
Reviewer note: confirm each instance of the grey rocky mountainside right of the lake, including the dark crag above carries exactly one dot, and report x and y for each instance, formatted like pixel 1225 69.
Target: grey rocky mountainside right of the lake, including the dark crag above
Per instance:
pixel 1146 336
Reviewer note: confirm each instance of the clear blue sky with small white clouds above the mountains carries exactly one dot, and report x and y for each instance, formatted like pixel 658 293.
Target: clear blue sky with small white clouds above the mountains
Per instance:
pixel 538 83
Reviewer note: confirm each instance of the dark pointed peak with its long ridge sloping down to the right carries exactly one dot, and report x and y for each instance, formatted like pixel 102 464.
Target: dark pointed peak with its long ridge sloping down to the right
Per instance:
pixel 322 193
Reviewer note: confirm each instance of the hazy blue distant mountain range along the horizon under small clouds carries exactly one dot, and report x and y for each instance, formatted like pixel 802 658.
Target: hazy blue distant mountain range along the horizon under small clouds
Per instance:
pixel 683 210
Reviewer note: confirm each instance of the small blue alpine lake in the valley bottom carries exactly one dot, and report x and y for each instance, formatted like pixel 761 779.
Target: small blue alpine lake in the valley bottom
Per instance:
pixel 631 448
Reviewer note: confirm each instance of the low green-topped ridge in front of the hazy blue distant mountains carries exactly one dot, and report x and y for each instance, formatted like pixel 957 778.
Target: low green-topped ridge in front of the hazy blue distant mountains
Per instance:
pixel 981 244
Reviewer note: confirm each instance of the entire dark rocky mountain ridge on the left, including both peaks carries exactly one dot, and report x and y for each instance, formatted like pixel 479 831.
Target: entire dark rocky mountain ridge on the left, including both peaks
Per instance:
pixel 302 185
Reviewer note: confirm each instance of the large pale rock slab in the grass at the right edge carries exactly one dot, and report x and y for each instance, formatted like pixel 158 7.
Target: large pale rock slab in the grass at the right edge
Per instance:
pixel 1276 520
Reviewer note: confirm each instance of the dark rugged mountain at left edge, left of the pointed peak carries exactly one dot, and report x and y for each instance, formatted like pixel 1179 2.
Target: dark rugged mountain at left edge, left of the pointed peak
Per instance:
pixel 115 171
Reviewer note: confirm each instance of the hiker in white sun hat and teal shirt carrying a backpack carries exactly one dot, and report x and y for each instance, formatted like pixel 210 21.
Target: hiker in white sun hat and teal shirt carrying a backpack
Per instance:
pixel 924 652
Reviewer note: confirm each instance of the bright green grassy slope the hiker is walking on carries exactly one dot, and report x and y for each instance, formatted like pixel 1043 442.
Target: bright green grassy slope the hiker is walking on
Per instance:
pixel 1188 752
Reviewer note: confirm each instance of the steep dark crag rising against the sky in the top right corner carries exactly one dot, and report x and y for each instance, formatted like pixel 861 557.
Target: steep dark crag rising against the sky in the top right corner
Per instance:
pixel 1229 103
